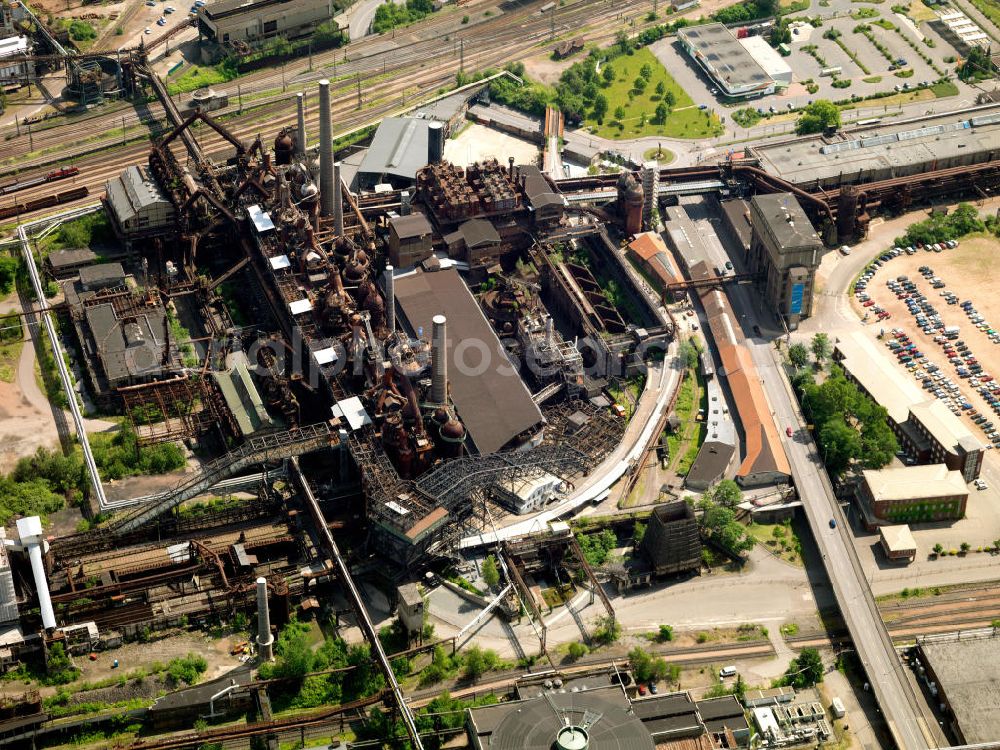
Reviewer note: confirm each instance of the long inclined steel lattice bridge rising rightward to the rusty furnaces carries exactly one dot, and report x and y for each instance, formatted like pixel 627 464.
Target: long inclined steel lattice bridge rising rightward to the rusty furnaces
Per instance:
pixel 257 450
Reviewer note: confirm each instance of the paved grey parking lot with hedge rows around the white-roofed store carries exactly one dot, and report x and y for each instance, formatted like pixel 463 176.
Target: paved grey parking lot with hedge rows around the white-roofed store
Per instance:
pixel 840 16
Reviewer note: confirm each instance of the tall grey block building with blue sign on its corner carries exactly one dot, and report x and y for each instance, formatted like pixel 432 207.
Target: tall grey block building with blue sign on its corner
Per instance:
pixel 785 251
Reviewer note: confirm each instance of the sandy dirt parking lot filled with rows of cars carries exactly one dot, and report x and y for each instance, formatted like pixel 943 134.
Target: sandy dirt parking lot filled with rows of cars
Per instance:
pixel 960 370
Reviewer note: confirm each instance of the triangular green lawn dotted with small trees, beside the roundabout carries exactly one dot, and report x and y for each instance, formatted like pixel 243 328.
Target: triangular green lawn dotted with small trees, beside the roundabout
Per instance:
pixel 685 121
